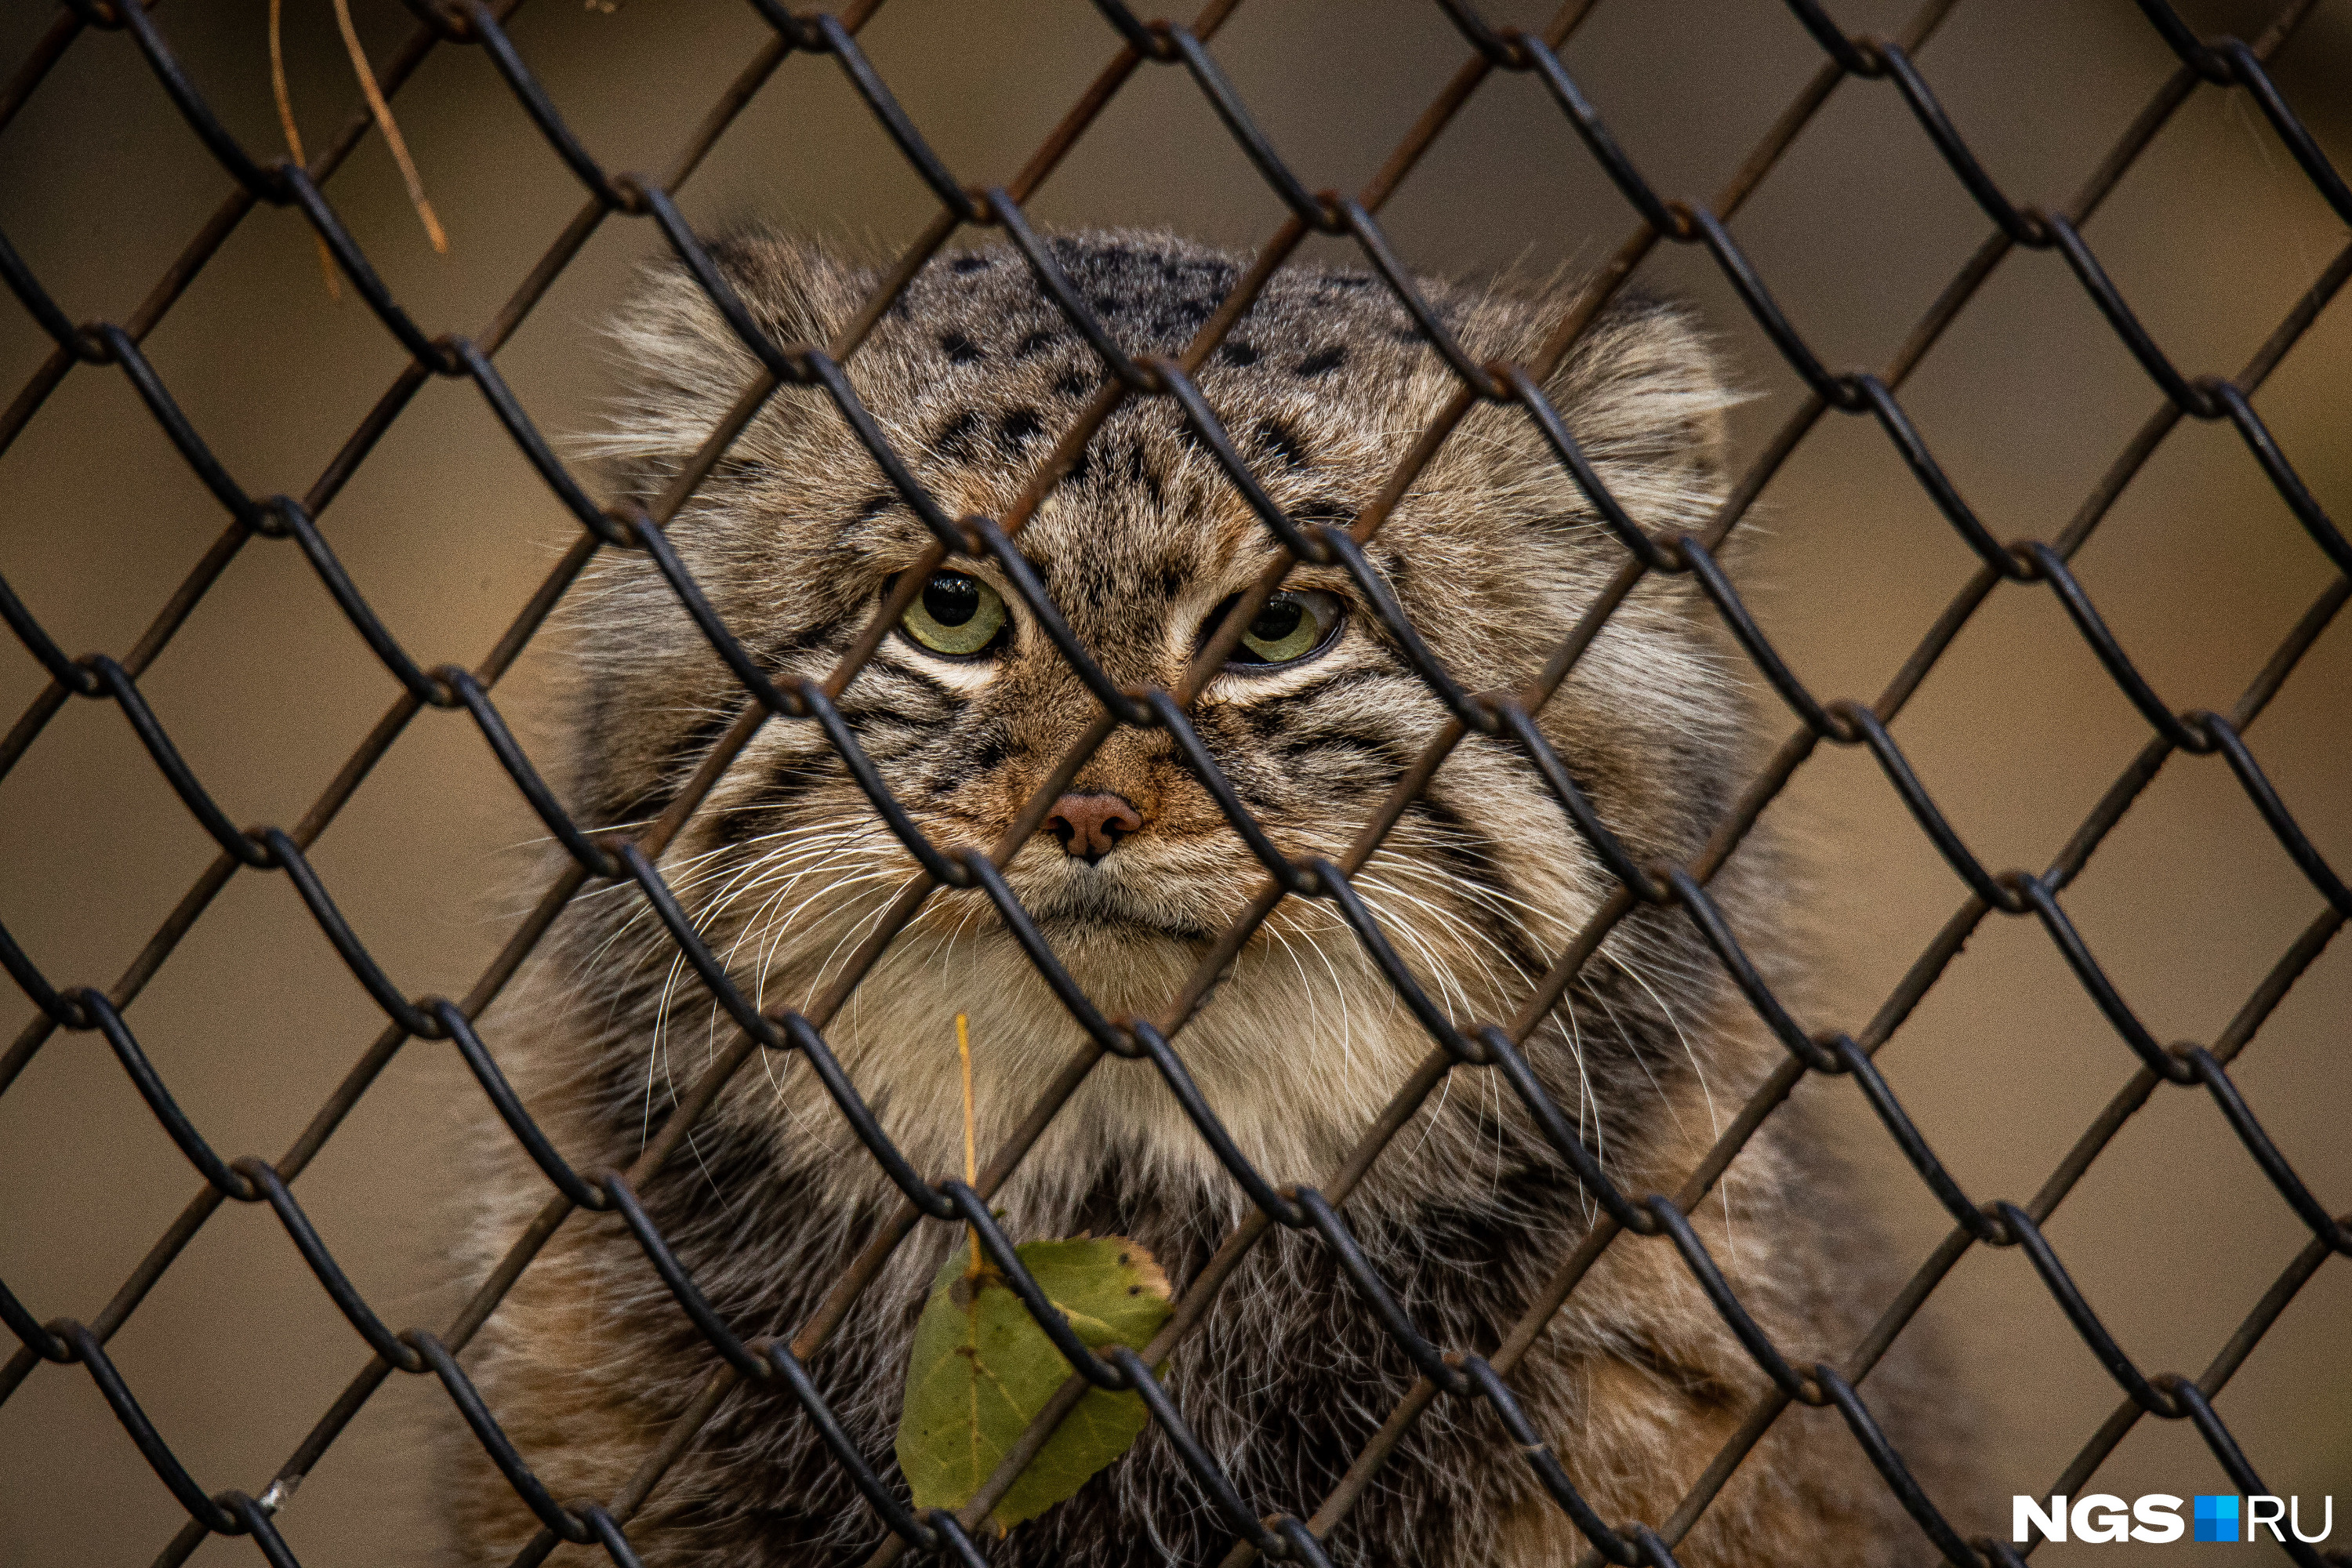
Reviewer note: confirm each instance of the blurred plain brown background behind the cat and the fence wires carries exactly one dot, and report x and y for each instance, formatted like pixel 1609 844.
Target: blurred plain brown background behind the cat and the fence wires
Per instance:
pixel 2200 570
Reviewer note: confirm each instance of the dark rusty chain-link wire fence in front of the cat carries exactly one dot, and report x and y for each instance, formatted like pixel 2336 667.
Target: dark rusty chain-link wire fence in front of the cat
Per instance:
pixel 610 859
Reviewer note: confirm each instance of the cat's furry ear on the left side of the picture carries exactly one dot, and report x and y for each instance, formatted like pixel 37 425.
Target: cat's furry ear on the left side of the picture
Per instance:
pixel 681 361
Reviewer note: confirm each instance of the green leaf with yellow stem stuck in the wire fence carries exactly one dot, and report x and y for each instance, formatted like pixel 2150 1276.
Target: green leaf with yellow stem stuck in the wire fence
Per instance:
pixel 982 1369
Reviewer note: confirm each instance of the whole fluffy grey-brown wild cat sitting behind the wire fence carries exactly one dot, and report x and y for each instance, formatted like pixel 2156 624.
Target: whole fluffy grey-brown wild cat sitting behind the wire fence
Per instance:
pixel 1495 556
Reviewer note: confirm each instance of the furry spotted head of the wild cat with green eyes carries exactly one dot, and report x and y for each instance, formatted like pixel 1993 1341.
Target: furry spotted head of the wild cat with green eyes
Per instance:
pixel 965 709
